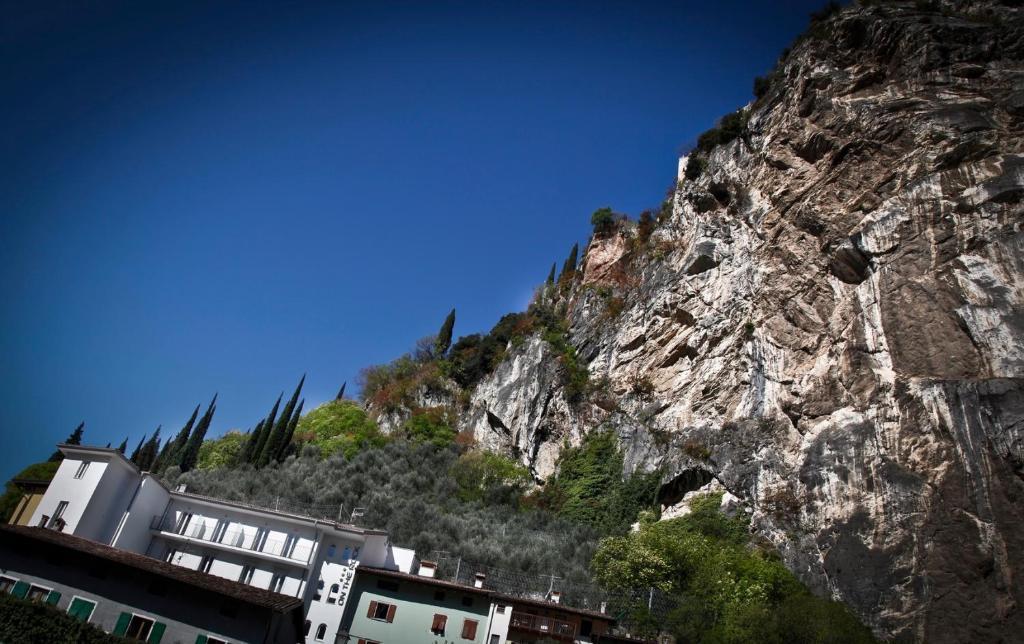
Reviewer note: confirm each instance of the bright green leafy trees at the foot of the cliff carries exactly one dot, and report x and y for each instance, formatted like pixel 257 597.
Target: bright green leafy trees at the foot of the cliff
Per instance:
pixel 730 591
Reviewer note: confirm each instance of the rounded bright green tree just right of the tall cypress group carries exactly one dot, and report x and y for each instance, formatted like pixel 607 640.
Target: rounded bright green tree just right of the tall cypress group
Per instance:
pixel 339 427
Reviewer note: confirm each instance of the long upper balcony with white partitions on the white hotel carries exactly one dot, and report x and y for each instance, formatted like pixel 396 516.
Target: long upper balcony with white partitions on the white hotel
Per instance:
pixel 236 540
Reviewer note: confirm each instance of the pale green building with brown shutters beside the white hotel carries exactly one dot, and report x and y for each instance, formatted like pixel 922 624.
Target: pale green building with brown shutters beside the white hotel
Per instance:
pixel 394 608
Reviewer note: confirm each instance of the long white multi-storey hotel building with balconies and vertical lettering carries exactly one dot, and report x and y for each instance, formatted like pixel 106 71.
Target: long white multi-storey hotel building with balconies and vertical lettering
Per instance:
pixel 100 495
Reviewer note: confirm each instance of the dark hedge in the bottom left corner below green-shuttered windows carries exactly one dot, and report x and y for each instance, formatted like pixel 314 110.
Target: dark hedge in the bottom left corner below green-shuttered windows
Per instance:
pixel 24 622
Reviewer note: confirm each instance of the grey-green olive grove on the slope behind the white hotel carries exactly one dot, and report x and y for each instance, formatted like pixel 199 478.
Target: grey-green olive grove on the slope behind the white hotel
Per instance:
pixel 429 498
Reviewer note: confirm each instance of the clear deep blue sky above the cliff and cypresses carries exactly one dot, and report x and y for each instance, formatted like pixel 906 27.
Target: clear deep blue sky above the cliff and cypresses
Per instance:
pixel 220 197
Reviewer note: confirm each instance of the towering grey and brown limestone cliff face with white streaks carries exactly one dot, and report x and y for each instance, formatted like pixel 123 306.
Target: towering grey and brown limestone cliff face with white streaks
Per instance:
pixel 831 326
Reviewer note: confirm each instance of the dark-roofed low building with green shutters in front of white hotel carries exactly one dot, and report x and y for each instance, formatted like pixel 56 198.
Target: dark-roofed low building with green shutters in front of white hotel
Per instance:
pixel 140 598
